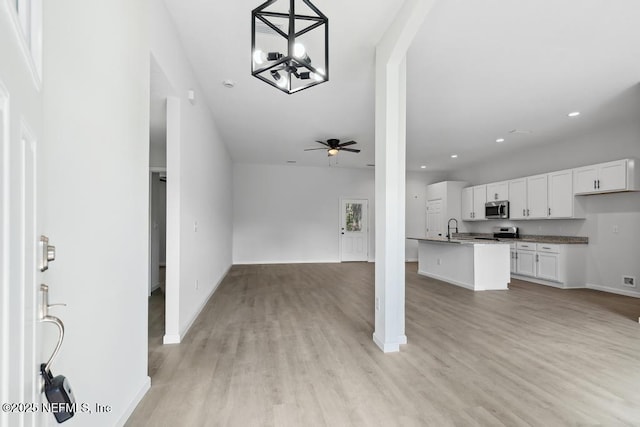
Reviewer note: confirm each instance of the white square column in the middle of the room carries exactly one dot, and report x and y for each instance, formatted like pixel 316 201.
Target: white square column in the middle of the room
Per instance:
pixel 390 173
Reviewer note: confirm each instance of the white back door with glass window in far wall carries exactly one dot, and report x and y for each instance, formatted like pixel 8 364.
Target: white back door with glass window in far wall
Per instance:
pixel 354 230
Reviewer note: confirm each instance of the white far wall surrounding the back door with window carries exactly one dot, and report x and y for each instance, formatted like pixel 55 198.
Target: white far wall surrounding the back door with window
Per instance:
pixel 286 214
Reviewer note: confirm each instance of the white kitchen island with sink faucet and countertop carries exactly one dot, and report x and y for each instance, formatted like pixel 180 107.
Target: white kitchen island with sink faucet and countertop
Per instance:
pixel 479 265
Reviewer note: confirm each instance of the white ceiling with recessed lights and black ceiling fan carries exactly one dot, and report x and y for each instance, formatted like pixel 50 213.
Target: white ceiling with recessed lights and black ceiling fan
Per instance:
pixel 476 70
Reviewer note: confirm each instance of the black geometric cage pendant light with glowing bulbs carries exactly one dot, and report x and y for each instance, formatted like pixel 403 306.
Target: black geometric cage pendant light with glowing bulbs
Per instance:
pixel 289 45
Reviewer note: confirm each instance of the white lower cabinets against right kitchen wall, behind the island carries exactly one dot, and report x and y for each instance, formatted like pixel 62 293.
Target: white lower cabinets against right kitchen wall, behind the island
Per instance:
pixel 562 266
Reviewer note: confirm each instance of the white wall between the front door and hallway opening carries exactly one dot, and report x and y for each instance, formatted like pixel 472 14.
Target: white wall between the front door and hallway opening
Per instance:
pixel 95 196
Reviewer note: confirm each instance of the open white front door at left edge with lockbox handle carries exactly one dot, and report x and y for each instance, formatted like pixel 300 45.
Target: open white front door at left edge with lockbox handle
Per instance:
pixel 21 123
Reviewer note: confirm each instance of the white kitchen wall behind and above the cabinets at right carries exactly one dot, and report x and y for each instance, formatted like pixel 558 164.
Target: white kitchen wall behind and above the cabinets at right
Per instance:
pixel 610 255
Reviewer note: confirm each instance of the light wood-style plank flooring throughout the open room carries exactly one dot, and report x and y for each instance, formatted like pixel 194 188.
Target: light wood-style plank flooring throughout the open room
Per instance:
pixel 291 345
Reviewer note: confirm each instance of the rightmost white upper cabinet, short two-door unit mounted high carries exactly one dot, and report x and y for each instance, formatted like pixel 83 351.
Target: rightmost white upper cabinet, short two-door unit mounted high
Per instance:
pixel 619 175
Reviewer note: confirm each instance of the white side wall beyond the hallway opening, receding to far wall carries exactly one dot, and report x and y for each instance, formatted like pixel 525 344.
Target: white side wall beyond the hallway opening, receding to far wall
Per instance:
pixel 199 188
